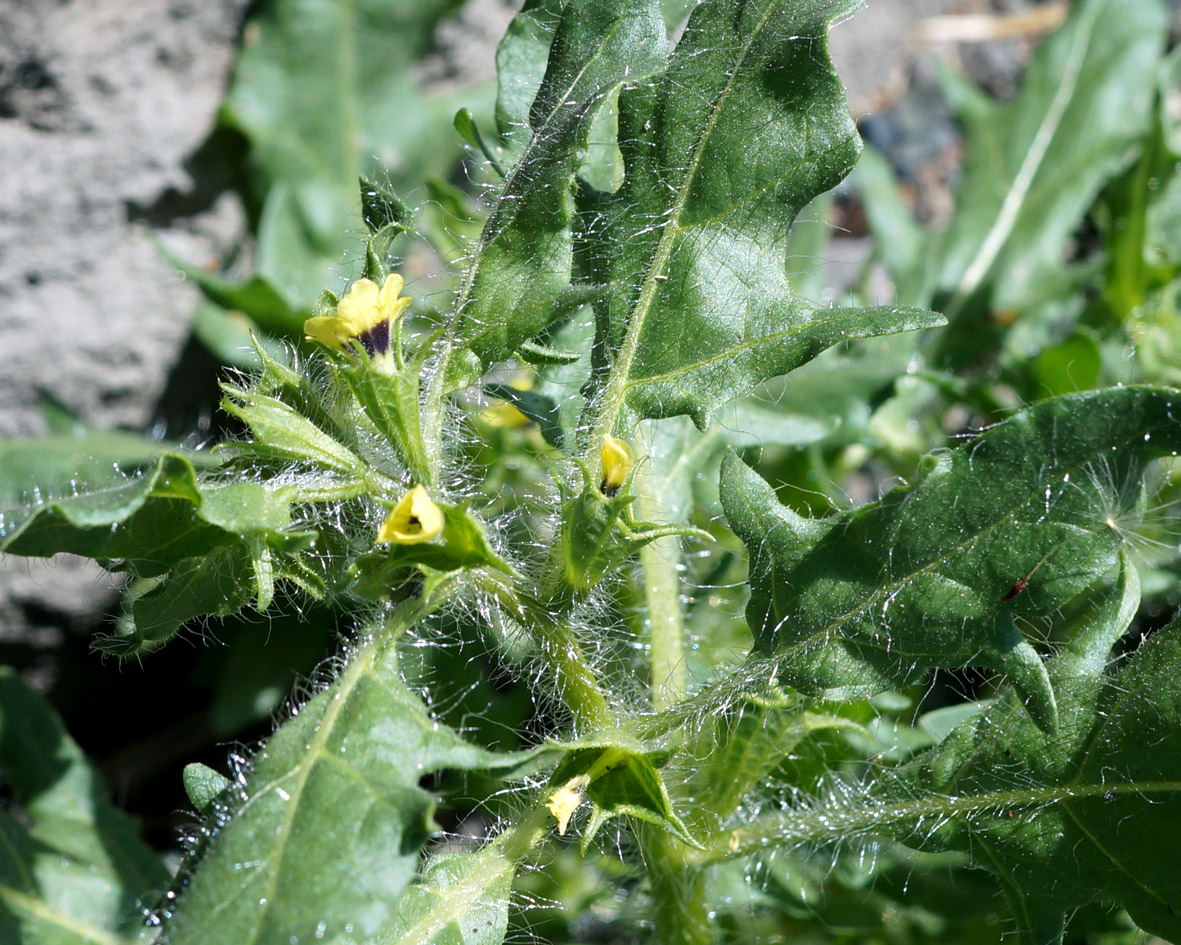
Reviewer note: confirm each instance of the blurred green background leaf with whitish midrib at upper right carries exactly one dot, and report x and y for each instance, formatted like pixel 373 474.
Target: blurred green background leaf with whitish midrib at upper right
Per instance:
pixel 1036 164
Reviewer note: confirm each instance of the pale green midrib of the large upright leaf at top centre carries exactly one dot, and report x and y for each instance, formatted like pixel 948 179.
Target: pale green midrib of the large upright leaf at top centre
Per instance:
pixel 615 396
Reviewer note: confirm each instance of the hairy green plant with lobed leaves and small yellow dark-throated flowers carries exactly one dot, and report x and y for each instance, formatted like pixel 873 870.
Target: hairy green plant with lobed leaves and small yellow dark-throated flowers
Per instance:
pixel 560 477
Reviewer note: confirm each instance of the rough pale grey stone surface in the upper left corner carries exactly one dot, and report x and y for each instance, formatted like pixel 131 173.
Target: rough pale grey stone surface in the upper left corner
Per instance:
pixel 101 103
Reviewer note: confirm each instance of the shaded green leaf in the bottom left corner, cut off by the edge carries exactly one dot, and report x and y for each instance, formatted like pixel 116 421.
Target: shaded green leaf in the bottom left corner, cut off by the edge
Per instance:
pixel 74 869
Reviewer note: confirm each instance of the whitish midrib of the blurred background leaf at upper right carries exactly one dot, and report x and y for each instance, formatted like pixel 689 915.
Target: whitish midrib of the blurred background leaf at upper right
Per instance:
pixel 1023 181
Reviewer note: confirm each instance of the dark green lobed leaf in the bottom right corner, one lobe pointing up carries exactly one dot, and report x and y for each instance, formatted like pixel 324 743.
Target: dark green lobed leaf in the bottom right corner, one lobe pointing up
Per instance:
pixel 1093 814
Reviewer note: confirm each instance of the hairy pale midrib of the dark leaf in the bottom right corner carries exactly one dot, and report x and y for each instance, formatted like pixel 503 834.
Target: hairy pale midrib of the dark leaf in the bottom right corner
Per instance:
pixel 826 824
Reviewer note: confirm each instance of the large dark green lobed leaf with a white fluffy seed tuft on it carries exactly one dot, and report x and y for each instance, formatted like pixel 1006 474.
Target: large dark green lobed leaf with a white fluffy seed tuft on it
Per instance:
pixel 1010 526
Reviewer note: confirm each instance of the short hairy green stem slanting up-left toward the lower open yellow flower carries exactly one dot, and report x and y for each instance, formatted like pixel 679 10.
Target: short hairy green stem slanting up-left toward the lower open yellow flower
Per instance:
pixel 560 648
